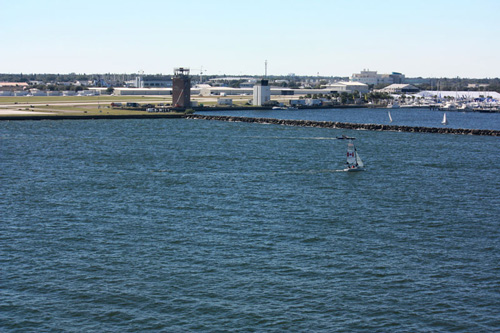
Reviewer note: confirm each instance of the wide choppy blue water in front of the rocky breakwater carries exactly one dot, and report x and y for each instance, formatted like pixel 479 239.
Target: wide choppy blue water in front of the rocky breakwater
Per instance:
pixel 194 225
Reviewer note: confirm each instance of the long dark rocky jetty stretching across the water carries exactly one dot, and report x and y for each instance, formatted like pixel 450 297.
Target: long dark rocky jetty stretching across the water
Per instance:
pixel 339 125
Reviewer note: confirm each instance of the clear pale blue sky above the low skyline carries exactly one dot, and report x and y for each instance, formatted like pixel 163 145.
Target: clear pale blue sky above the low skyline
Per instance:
pixel 437 38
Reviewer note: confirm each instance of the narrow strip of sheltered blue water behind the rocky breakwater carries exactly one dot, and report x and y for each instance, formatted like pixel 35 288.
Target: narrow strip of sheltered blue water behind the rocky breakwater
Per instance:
pixel 402 116
